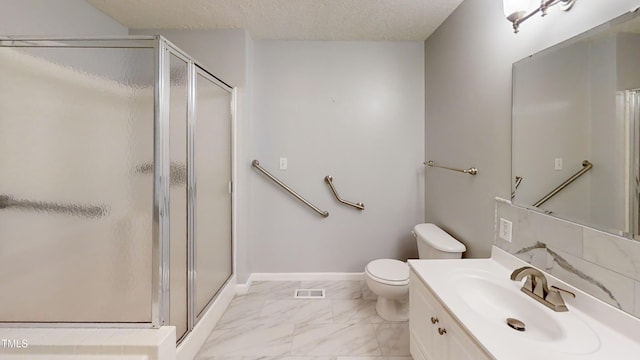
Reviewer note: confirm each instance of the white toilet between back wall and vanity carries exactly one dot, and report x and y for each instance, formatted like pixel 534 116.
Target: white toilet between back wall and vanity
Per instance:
pixel 389 278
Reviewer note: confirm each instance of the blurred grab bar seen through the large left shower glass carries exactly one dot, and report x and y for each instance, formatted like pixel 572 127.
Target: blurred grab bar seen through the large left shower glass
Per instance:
pixel 90 211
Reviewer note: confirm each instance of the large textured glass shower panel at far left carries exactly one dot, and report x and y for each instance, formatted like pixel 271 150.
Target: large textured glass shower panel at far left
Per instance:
pixel 76 194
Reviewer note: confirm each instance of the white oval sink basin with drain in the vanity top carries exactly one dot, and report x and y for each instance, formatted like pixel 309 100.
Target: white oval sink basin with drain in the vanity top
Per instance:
pixel 492 300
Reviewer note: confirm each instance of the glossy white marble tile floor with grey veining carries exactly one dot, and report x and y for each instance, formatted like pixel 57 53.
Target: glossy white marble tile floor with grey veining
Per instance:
pixel 267 323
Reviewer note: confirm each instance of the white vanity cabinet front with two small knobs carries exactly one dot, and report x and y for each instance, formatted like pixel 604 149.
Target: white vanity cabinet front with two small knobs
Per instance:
pixel 434 333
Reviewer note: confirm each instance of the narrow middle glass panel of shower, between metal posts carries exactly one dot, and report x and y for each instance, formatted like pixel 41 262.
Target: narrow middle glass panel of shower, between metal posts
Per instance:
pixel 178 194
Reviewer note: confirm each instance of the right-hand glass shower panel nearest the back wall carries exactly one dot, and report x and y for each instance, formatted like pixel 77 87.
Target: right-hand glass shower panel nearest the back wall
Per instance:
pixel 213 200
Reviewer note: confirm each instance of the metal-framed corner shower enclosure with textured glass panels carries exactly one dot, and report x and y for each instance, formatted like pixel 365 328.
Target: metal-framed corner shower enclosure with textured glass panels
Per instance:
pixel 115 189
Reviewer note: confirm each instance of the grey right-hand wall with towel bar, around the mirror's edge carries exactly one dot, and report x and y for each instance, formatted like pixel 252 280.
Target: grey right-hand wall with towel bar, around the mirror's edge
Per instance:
pixel 468 106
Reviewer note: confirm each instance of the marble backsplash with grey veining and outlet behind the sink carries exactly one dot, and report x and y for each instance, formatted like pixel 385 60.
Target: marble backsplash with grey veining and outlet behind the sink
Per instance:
pixel 601 264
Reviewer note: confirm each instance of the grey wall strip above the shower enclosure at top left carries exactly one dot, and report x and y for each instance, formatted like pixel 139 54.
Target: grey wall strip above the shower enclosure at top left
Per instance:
pixel 55 18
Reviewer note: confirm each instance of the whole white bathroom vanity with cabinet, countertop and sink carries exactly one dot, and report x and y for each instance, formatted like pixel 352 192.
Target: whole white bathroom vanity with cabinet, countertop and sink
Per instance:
pixel 459 310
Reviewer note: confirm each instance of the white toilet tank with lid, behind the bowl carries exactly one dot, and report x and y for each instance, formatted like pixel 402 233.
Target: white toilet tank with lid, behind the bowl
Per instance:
pixel 435 243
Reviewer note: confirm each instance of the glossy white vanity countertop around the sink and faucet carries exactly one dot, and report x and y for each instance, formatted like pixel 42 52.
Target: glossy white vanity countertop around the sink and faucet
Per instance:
pixel 591 329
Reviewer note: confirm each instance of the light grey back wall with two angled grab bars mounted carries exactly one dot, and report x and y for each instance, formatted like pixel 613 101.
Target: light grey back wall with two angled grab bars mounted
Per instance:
pixel 353 110
